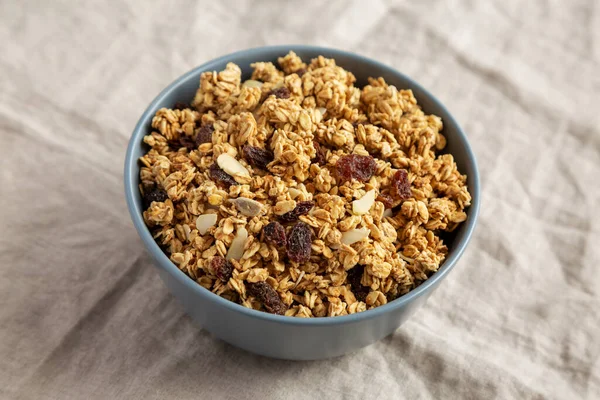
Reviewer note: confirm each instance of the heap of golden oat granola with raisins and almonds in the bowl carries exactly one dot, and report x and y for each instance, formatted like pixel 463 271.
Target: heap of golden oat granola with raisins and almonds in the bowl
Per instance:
pixel 297 193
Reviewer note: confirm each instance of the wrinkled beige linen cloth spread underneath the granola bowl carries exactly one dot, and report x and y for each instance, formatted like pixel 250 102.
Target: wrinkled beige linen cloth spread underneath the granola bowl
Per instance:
pixel 84 315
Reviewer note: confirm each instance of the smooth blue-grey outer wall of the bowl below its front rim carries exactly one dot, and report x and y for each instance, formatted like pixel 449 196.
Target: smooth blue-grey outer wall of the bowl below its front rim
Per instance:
pixel 281 340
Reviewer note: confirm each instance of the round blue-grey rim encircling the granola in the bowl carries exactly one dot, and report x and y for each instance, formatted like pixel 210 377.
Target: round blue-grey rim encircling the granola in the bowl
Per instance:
pixel 131 173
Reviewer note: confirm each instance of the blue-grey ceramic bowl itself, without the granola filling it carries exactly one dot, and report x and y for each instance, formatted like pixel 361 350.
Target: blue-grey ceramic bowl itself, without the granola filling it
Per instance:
pixel 289 337
